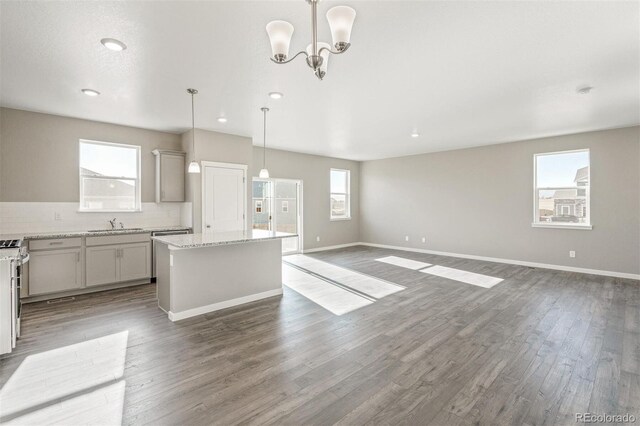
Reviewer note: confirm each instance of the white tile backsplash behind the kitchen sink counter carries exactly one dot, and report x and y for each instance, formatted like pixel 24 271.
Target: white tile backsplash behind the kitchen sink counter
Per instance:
pixel 20 218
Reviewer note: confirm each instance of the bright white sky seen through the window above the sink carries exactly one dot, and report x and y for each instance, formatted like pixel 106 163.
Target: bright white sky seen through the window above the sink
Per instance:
pixel 109 160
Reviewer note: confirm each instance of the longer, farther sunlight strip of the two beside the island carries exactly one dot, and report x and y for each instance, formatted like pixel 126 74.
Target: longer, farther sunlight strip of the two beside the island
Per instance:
pixel 364 284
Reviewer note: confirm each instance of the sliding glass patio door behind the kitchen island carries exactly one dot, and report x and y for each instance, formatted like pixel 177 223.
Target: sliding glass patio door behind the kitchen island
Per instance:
pixel 277 206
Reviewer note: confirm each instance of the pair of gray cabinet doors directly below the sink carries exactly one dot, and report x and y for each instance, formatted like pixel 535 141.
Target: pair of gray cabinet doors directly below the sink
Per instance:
pixel 118 263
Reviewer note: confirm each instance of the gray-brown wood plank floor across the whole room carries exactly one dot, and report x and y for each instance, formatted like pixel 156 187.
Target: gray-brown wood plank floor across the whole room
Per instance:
pixel 537 348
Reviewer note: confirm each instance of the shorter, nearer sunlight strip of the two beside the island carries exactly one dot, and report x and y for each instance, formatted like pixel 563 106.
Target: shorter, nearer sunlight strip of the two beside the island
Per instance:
pixel 336 300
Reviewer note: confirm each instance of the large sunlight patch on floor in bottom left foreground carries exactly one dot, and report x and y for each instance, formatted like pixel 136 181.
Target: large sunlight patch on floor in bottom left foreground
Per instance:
pixel 83 373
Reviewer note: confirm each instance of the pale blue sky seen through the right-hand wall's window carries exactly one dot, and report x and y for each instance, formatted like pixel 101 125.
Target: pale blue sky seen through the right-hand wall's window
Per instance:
pixel 557 170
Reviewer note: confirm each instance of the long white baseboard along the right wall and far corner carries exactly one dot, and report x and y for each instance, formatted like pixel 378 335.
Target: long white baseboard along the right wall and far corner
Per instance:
pixel 498 260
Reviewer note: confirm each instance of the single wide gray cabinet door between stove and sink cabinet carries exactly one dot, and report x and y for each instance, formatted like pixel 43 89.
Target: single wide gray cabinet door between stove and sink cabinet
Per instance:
pixel 52 271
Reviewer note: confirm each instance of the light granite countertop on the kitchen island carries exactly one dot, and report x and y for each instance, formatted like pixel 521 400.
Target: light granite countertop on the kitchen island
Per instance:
pixel 220 238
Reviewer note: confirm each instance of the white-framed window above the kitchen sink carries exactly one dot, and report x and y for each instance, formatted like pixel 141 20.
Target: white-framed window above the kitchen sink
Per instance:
pixel 109 177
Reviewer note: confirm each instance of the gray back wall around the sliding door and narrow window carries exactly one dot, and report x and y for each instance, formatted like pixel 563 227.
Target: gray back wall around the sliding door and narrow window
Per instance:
pixel 314 170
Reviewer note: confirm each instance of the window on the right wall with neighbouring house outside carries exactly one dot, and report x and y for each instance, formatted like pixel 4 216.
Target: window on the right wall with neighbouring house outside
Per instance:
pixel 561 197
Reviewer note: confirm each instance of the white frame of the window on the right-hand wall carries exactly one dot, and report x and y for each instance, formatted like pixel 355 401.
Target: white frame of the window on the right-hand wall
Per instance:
pixel 536 211
